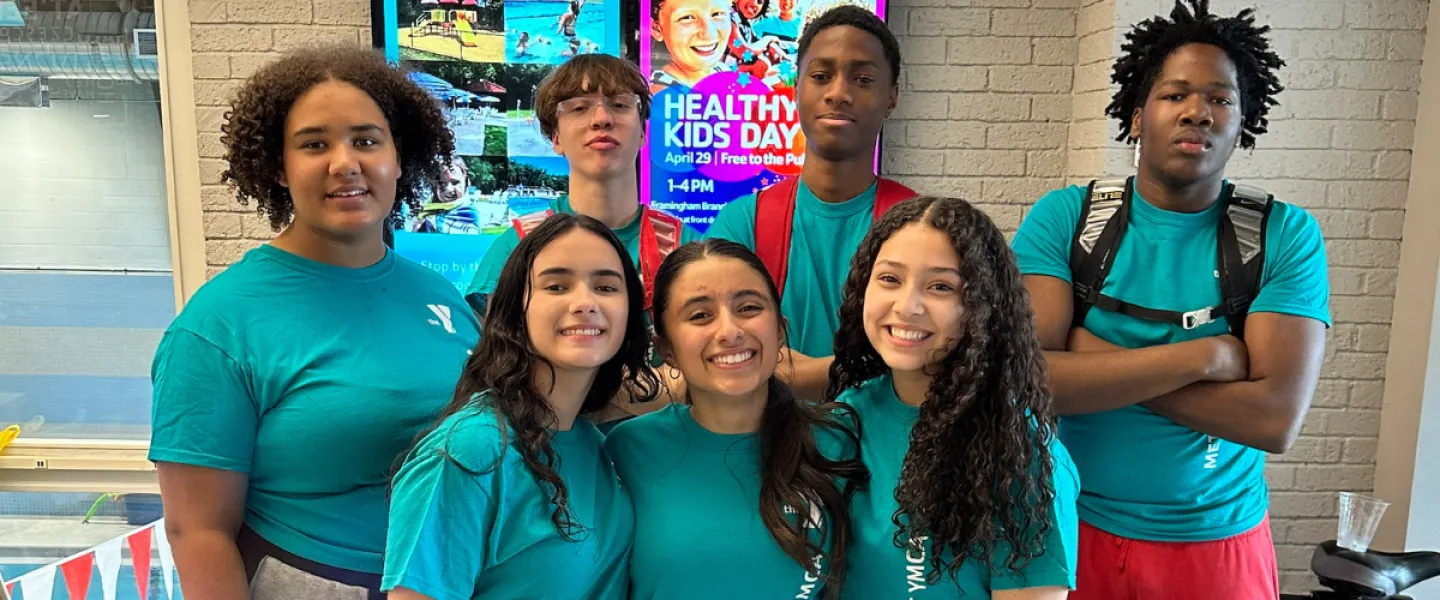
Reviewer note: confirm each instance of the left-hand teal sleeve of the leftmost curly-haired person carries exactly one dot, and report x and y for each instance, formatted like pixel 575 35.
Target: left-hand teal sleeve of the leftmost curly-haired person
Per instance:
pixel 202 412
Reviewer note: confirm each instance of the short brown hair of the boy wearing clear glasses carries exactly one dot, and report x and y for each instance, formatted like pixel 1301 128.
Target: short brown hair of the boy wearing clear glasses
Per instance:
pixel 607 76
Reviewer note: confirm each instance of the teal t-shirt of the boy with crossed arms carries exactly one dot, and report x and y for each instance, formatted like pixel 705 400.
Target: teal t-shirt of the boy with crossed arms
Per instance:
pixel 1147 477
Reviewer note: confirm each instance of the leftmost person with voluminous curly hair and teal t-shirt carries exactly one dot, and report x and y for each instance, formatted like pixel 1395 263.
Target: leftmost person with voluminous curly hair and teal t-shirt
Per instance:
pixel 292 382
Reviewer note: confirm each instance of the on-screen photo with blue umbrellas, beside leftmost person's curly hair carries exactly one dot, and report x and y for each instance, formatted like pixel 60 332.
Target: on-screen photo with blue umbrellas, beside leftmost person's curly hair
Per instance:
pixel 474 103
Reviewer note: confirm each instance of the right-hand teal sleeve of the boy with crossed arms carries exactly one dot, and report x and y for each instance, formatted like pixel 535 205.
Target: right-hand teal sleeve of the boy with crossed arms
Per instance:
pixel 1297 276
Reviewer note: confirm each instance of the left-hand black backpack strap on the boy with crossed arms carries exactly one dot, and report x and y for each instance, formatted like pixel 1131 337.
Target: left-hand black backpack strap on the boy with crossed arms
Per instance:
pixel 1104 218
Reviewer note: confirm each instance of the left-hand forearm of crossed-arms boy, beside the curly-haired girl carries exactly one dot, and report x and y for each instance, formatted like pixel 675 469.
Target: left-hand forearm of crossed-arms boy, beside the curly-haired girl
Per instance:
pixel 1099 382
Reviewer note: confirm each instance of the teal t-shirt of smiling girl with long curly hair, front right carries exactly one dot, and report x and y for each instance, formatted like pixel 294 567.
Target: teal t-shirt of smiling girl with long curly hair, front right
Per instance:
pixel 879 571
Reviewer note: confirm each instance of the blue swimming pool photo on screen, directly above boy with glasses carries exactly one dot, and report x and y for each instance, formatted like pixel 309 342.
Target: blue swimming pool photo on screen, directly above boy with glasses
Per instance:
pixel 549 32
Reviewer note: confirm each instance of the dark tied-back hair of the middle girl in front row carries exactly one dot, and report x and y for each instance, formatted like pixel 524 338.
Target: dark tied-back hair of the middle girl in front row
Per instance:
pixel 794 473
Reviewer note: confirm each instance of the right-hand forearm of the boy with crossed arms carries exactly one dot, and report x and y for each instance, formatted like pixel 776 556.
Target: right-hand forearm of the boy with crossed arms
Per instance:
pixel 1248 414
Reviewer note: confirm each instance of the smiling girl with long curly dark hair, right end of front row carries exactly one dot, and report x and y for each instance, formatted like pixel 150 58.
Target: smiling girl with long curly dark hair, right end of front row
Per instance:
pixel 973 496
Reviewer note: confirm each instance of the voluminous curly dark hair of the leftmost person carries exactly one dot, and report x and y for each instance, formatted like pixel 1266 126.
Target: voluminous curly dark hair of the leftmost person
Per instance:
pixel 256 126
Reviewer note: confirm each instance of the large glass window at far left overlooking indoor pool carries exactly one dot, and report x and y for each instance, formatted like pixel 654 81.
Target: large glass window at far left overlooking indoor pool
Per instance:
pixel 87 287
